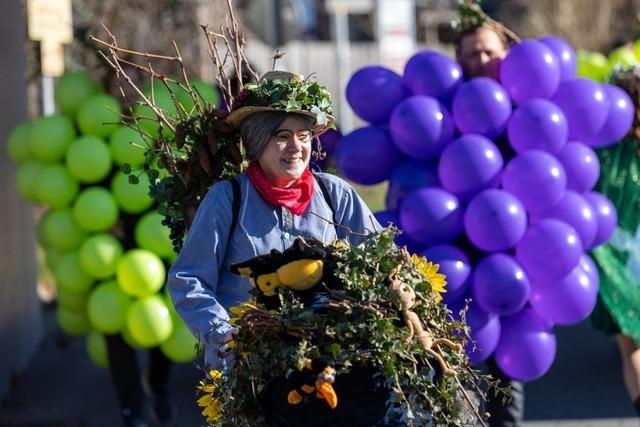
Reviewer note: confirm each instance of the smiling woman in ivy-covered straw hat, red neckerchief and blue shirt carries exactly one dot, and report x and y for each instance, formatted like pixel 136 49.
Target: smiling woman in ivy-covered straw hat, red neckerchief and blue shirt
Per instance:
pixel 262 211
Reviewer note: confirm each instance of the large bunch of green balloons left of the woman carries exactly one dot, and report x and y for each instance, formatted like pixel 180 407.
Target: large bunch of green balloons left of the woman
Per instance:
pixel 70 162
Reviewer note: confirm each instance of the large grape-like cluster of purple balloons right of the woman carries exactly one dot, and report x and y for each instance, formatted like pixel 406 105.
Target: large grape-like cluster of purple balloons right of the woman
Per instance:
pixel 493 181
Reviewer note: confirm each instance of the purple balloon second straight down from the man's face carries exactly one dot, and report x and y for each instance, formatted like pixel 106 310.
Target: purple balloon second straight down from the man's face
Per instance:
pixel 469 164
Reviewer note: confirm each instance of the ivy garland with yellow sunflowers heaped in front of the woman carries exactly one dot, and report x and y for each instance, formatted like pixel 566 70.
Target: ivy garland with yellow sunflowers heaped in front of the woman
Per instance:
pixel 361 328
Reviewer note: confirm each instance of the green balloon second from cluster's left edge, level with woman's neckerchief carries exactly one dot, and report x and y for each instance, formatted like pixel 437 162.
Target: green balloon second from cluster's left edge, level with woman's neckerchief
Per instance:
pixel 56 187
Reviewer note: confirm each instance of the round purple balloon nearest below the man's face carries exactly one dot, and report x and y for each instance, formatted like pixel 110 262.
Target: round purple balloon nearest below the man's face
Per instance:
pixel 481 106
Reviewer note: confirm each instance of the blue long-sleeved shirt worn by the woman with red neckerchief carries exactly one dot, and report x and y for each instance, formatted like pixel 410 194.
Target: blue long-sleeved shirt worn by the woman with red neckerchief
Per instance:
pixel 200 283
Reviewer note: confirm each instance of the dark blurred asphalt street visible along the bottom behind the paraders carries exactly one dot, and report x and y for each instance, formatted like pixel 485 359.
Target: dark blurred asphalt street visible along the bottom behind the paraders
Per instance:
pixel 62 388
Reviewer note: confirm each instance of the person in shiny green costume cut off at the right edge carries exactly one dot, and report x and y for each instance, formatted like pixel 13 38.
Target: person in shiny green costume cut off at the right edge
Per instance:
pixel 616 311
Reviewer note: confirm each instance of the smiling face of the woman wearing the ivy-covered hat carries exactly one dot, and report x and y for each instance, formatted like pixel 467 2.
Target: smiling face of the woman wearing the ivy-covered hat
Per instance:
pixel 287 154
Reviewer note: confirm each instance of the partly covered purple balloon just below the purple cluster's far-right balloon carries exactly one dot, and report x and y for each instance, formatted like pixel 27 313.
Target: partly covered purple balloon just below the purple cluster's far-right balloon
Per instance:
pixel 581 166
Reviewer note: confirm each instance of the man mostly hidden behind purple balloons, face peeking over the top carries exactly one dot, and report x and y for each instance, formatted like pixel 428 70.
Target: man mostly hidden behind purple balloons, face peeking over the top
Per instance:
pixel 479 50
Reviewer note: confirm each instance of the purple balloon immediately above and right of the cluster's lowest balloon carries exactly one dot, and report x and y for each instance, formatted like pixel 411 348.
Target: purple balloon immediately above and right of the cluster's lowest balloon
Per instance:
pixel 566 301
